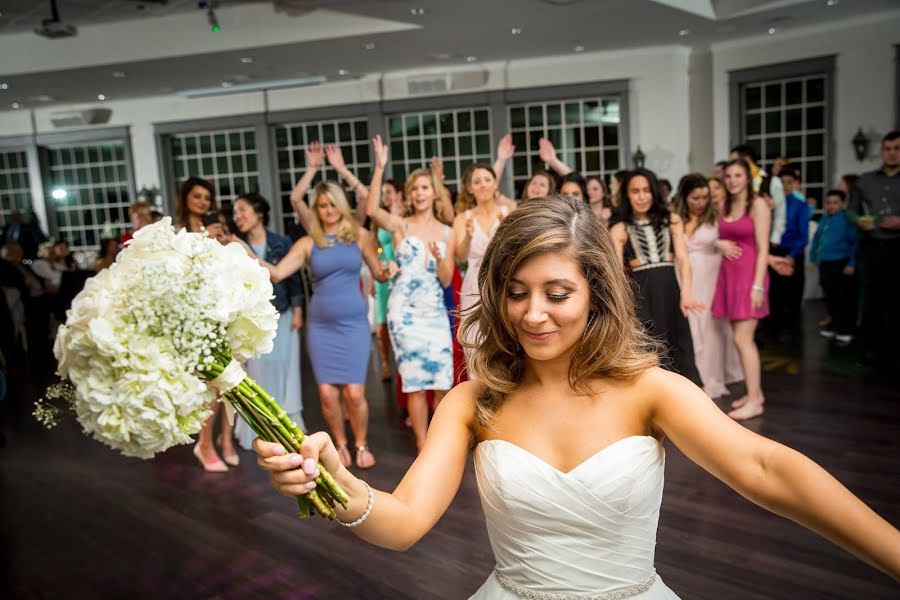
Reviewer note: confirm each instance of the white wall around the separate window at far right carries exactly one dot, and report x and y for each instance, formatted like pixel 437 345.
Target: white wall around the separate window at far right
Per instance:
pixel 864 82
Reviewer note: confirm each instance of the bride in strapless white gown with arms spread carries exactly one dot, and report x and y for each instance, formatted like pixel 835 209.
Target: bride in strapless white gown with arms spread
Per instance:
pixel 567 418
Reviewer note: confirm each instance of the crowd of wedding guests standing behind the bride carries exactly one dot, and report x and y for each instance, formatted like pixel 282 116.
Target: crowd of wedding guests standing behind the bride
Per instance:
pixel 710 260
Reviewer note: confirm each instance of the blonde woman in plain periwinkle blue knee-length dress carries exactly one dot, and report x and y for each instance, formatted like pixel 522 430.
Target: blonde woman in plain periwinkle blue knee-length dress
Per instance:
pixel 338 337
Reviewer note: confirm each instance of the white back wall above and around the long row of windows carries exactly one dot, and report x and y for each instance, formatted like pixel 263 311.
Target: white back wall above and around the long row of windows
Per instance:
pixel 658 101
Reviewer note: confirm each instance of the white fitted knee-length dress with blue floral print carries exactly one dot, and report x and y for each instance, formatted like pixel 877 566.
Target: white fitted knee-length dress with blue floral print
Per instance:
pixel 417 319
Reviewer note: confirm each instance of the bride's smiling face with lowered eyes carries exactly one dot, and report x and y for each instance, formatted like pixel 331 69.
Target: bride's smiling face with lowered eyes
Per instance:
pixel 548 303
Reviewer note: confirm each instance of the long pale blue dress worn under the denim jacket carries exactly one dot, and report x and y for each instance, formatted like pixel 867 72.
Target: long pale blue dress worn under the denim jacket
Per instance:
pixel 278 372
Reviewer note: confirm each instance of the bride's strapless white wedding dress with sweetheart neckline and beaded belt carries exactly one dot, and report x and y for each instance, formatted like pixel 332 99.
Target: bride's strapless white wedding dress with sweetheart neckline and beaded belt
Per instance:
pixel 588 533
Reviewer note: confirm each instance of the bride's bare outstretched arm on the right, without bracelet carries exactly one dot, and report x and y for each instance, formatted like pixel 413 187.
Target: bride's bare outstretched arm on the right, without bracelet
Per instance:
pixel 769 474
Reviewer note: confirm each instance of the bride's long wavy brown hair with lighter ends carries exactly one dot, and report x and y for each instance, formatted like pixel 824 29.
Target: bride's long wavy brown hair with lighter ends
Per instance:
pixel 614 344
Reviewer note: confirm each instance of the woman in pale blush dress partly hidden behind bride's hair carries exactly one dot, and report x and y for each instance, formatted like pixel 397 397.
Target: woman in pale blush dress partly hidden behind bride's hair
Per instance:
pixel 473 230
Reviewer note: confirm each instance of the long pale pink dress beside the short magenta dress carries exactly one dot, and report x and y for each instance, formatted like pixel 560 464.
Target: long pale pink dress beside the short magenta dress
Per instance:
pixel 714 351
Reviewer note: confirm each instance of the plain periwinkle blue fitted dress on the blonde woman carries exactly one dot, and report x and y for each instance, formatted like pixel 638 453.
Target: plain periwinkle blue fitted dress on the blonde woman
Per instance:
pixel 337 332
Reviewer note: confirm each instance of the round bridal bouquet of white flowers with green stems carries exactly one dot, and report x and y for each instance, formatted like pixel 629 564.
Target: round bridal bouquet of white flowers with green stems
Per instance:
pixel 147 339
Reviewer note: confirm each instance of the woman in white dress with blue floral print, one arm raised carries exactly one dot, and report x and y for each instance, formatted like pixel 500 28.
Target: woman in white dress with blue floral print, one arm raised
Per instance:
pixel 417 316
